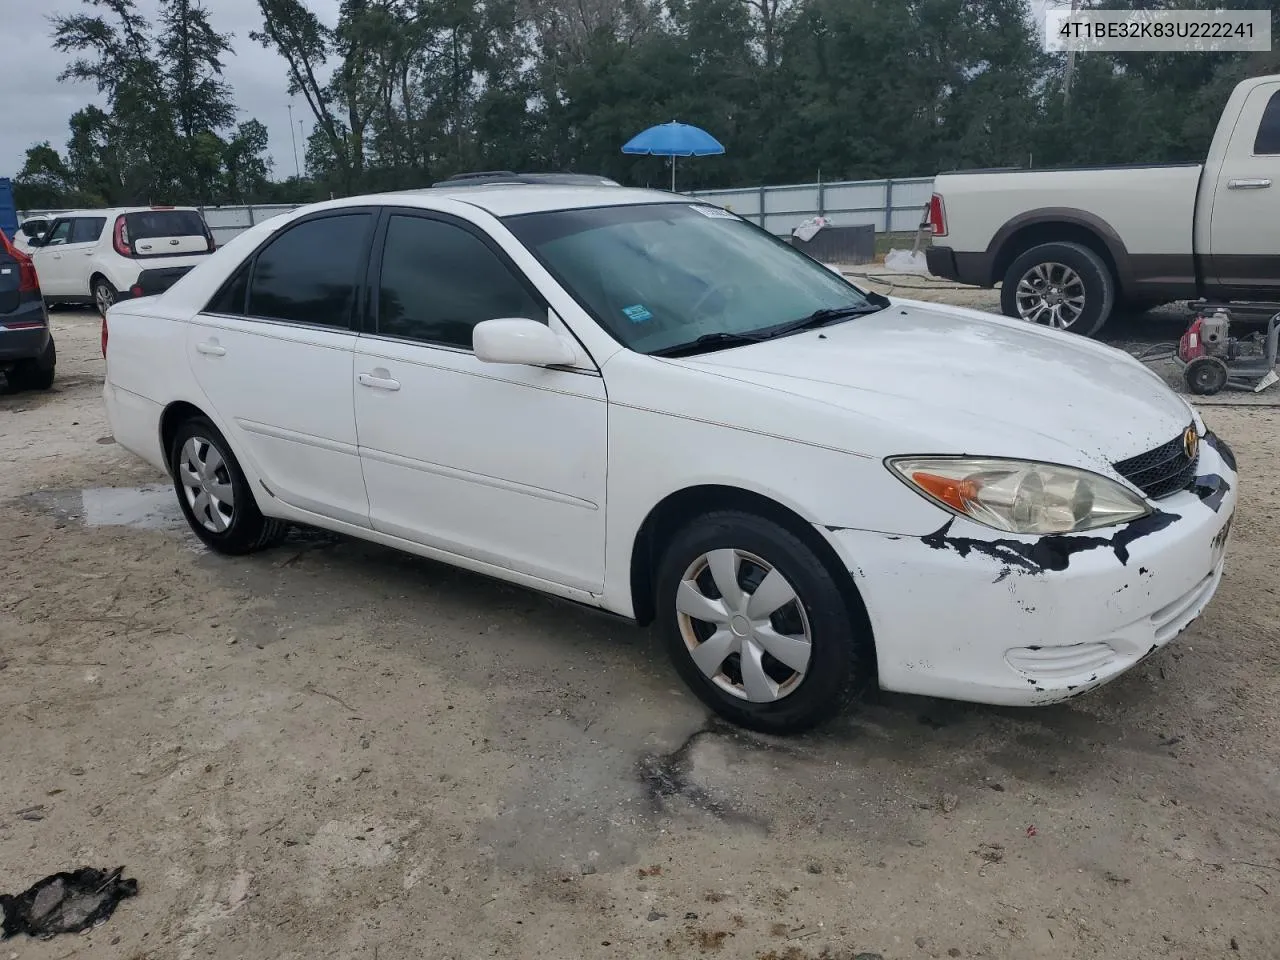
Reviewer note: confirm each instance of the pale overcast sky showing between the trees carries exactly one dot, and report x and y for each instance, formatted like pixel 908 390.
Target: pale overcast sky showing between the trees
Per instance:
pixel 36 107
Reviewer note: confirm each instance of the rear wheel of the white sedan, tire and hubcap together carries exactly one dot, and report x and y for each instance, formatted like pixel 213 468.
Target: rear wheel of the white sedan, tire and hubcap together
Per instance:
pixel 216 496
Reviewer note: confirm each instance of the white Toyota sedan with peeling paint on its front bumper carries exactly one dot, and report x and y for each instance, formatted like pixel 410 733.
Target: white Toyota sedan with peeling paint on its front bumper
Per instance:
pixel 648 405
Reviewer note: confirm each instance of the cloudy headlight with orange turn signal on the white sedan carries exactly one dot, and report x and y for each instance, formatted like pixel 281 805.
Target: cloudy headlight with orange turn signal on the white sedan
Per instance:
pixel 1021 497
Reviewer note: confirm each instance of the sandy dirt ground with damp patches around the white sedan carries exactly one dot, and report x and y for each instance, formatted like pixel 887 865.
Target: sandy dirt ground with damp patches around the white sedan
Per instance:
pixel 335 751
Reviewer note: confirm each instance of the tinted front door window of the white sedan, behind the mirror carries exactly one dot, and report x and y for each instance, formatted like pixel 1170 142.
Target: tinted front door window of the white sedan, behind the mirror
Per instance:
pixel 440 281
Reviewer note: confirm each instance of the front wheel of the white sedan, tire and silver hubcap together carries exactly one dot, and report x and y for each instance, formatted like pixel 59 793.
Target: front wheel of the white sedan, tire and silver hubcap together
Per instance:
pixel 757 627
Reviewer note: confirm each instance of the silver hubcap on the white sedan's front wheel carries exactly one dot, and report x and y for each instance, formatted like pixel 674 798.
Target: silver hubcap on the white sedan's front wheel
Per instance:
pixel 744 625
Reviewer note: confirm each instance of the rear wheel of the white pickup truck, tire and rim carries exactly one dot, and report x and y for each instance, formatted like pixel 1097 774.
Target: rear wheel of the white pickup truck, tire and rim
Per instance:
pixel 1064 286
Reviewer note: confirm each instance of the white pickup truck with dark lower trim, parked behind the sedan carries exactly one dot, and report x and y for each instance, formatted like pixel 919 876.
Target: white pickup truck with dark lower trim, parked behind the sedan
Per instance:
pixel 1068 245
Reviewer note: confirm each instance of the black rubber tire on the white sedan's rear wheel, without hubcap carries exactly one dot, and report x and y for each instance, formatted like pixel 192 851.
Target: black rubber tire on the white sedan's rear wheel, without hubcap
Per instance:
pixel 248 531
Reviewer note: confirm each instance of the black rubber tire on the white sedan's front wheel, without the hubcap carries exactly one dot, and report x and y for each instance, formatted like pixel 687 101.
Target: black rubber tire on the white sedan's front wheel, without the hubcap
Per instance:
pixel 840 665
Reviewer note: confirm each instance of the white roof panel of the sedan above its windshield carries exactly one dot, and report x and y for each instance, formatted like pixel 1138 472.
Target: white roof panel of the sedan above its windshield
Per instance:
pixel 516 199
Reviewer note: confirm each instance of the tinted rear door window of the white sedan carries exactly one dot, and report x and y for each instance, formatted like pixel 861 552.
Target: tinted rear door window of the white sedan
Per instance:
pixel 309 275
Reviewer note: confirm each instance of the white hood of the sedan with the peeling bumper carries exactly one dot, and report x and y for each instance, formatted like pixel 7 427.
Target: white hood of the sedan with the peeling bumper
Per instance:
pixel 941 380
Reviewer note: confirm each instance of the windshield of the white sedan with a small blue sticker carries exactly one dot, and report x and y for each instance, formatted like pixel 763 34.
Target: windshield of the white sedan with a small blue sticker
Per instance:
pixel 666 277
